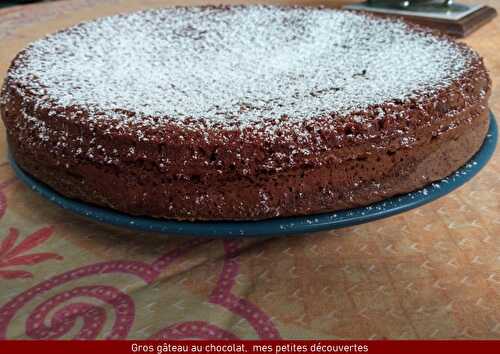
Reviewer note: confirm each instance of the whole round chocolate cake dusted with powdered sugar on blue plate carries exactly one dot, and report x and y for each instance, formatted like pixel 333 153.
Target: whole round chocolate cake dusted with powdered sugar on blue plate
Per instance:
pixel 243 112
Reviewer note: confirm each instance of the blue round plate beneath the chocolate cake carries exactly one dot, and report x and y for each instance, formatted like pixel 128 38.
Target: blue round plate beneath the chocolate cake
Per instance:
pixel 277 226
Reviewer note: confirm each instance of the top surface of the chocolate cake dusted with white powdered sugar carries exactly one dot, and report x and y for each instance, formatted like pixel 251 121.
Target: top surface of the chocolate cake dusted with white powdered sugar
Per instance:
pixel 235 66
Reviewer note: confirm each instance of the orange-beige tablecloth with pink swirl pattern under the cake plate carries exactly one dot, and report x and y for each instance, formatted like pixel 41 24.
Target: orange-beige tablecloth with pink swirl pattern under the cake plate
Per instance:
pixel 433 272
